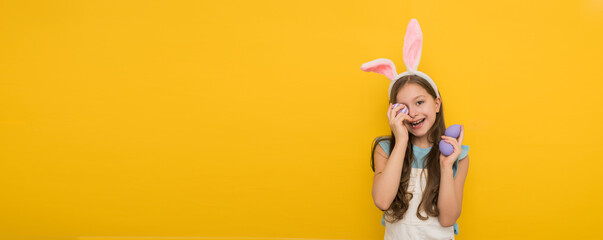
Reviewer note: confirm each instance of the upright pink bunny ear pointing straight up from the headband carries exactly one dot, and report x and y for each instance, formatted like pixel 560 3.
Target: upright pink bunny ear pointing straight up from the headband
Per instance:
pixel 413 41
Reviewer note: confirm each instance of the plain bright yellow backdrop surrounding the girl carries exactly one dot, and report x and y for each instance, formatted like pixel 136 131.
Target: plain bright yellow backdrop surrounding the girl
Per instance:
pixel 253 120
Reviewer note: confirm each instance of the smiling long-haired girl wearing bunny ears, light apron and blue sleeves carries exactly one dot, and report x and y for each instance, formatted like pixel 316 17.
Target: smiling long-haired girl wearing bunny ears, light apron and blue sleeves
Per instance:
pixel 419 189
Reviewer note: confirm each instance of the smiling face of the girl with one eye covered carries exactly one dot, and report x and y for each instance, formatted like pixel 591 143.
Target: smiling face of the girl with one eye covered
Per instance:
pixel 422 108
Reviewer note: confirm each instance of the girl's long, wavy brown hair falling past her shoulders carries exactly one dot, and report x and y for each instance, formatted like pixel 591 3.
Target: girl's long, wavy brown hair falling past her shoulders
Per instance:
pixel 429 200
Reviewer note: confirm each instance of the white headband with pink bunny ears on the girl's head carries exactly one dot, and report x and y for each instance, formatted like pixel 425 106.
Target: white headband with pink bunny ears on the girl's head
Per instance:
pixel 413 41
